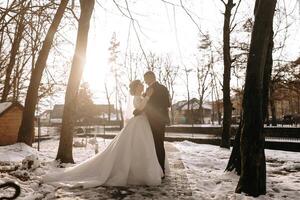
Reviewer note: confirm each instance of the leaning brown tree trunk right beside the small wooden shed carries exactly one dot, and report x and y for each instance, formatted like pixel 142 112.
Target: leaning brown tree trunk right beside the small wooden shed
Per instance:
pixel 27 125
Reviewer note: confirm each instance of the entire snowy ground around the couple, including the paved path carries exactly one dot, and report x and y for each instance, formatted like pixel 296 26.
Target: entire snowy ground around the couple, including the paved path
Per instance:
pixel 197 172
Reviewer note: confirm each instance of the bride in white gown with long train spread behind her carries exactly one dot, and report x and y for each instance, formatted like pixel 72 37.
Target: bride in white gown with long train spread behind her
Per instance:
pixel 130 159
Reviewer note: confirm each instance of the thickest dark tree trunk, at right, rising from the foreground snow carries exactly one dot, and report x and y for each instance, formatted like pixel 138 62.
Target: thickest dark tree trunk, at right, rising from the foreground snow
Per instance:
pixel 253 164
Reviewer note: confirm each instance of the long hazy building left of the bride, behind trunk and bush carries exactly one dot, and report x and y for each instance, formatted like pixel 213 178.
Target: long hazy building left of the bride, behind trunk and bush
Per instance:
pixel 100 111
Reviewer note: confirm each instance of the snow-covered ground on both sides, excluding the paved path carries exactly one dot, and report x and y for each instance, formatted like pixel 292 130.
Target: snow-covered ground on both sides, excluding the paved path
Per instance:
pixel 204 167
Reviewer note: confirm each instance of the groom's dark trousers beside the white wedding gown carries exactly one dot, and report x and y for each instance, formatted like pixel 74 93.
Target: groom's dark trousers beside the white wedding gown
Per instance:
pixel 158 131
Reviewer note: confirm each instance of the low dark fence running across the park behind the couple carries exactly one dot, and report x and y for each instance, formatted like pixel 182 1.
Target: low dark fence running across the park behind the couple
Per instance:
pixel 280 138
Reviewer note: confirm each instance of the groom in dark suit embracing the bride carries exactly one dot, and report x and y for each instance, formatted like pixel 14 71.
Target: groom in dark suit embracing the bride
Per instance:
pixel 157 113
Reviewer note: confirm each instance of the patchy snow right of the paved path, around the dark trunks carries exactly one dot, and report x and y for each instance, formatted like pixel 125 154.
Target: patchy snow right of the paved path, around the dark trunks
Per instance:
pixel 205 166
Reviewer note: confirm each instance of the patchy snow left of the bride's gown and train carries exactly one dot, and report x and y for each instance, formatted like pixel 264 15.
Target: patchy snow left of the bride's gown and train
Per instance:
pixel 29 180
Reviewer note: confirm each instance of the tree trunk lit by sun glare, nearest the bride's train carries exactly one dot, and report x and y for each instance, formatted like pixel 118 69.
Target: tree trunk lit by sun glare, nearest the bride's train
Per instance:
pixel 64 153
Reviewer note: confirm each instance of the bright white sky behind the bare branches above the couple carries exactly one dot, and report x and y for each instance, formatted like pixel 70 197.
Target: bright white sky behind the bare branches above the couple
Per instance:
pixel 165 30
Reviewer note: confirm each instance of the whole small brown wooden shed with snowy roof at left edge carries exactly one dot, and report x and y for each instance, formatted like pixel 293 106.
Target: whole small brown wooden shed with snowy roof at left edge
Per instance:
pixel 10 121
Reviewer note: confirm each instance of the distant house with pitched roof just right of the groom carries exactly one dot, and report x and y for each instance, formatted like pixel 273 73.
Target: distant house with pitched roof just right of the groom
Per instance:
pixel 185 112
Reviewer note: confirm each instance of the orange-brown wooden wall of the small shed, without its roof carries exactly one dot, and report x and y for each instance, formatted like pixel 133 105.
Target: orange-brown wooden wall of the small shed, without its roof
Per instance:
pixel 9 126
